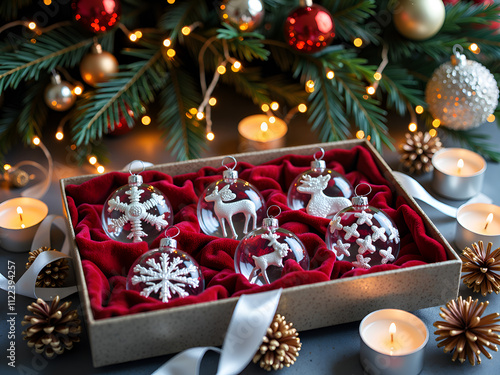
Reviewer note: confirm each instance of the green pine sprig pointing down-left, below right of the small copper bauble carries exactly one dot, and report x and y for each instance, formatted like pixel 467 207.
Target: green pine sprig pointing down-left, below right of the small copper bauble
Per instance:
pixel 133 87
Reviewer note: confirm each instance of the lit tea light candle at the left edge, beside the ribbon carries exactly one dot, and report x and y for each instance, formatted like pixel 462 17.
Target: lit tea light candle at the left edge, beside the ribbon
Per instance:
pixel 19 221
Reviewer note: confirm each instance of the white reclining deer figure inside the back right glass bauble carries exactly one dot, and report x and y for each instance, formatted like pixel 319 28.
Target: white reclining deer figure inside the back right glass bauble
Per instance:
pixel 320 204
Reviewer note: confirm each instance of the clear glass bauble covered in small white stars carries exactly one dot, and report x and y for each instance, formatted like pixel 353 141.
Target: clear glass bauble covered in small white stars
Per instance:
pixel 363 235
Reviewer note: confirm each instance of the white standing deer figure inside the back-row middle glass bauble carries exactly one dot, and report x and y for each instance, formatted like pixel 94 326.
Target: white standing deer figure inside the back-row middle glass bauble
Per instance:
pixel 225 209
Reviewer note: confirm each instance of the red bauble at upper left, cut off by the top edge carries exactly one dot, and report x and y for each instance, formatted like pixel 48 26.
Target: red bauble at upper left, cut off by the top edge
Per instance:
pixel 97 15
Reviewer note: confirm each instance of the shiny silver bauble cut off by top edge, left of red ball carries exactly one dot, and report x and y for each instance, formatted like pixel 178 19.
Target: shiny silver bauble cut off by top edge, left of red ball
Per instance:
pixel 246 15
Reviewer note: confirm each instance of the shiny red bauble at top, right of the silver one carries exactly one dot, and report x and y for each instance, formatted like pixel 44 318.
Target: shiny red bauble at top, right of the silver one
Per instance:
pixel 309 29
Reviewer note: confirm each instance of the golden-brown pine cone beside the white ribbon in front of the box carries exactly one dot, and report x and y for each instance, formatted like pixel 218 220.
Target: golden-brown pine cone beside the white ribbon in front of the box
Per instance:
pixel 280 347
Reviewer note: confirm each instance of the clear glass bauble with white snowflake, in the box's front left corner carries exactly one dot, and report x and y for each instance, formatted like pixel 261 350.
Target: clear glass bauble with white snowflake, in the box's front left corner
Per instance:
pixel 166 273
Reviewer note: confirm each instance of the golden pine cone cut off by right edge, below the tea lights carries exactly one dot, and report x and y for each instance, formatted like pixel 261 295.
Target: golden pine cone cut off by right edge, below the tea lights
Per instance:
pixel 480 267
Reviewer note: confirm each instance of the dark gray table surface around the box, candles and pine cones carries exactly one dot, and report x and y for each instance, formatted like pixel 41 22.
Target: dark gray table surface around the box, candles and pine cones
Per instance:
pixel 331 350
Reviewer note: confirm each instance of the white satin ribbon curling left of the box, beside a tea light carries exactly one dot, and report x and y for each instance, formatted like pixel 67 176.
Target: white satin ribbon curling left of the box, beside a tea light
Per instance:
pixel 26 284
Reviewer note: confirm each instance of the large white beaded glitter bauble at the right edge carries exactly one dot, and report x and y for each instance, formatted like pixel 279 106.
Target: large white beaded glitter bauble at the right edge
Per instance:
pixel 461 93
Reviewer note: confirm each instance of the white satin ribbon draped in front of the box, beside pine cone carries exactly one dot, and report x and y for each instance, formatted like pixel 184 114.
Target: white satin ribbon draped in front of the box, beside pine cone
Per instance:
pixel 252 316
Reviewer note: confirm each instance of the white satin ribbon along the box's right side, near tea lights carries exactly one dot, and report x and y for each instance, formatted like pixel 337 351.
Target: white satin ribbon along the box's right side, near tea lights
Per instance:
pixel 417 191
